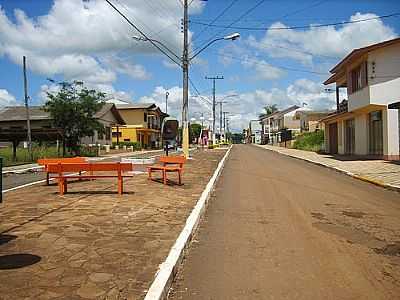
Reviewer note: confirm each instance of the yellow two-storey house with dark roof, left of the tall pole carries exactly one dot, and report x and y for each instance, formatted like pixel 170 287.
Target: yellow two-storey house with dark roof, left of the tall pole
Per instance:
pixel 143 124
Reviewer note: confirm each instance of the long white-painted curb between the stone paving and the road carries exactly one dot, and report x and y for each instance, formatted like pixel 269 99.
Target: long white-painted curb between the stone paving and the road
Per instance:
pixel 167 270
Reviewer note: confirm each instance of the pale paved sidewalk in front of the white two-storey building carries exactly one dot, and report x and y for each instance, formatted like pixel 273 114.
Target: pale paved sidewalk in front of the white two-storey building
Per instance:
pixel 380 172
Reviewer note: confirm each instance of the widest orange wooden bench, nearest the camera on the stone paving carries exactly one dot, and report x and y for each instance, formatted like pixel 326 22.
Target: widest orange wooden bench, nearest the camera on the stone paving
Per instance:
pixel 61 168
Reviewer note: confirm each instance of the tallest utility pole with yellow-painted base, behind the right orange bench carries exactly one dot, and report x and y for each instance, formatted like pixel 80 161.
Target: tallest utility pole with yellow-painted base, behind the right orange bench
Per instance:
pixel 185 68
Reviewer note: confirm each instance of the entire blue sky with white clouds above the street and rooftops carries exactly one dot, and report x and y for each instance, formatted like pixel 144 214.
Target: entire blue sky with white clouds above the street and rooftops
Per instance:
pixel 87 40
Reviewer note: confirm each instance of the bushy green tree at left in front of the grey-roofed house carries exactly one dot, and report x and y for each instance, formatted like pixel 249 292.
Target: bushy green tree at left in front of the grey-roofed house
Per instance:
pixel 73 110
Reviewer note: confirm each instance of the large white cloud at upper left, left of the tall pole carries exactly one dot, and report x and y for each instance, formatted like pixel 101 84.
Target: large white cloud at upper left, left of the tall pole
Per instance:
pixel 74 44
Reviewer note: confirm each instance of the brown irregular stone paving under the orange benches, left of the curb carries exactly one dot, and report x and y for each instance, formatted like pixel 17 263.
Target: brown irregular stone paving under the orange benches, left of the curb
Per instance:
pixel 92 243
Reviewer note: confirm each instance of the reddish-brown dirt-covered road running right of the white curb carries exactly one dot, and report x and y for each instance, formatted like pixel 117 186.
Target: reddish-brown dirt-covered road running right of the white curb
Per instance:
pixel 280 228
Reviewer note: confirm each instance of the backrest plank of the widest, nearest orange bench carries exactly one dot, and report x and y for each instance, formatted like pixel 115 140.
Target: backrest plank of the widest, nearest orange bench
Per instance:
pixel 76 167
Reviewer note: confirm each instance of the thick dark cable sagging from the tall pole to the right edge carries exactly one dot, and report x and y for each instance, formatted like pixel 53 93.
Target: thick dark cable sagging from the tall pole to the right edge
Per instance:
pixel 297 27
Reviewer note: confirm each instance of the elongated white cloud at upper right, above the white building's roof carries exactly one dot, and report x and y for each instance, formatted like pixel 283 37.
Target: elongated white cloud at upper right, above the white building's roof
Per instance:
pixel 304 45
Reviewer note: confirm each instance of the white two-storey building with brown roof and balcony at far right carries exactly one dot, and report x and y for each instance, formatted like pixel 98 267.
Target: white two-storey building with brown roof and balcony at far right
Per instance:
pixel 371 76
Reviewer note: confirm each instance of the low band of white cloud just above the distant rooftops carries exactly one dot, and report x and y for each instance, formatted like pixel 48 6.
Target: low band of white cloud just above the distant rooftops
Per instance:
pixel 246 106
